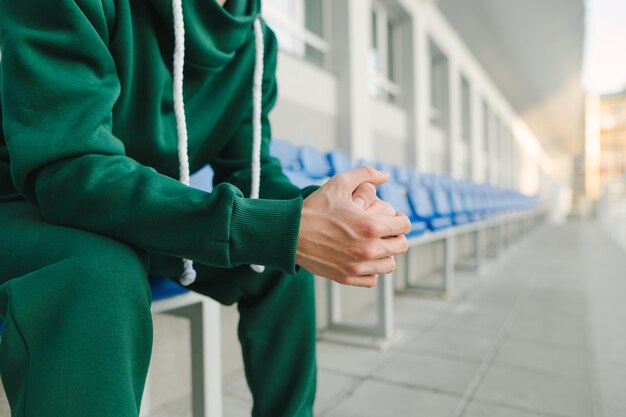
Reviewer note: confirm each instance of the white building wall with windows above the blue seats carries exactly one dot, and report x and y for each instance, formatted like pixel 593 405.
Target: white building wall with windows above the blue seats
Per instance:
pixel 331 105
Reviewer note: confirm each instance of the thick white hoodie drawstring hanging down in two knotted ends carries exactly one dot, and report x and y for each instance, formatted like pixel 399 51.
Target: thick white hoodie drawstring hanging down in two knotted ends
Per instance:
pixel 189 274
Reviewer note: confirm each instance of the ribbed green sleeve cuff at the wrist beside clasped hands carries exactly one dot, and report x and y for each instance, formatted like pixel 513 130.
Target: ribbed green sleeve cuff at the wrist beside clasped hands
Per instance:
pixel 265 232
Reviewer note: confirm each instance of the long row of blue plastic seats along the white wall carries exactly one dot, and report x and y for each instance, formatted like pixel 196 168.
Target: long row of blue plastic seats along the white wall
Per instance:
pixel 432 201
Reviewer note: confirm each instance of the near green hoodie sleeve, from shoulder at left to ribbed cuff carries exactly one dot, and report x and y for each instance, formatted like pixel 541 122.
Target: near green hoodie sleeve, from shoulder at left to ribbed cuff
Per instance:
pixel 59 86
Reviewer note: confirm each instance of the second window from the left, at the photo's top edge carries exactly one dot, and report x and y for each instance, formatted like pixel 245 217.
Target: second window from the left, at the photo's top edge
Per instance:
pixel 383 55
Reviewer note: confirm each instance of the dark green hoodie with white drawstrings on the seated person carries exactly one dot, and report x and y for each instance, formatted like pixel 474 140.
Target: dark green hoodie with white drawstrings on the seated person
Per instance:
pixel 89 134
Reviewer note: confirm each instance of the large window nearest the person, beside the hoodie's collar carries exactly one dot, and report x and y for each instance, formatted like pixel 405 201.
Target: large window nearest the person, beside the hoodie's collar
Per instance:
pixel 300 27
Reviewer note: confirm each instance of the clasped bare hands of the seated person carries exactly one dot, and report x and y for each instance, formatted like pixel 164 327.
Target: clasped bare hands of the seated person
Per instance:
pixel 345 240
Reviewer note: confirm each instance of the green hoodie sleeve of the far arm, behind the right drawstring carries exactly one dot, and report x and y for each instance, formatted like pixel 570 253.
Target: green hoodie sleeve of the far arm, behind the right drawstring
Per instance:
pixel 233 165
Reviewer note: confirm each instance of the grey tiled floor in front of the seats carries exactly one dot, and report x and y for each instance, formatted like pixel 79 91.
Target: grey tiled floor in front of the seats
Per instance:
pixel 539 334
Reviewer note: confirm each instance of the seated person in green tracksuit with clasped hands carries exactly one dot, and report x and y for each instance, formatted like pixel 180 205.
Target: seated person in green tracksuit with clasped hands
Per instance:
pixel 96 128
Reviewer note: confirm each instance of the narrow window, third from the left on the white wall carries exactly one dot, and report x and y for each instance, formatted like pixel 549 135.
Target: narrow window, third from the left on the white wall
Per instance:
pixel 438 86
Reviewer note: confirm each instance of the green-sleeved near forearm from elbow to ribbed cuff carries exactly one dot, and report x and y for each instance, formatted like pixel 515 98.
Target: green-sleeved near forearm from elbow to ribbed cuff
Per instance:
pixel 117 197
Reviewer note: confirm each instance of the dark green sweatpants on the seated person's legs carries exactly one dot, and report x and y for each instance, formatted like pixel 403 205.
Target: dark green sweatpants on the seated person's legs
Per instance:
pixel 78 329
